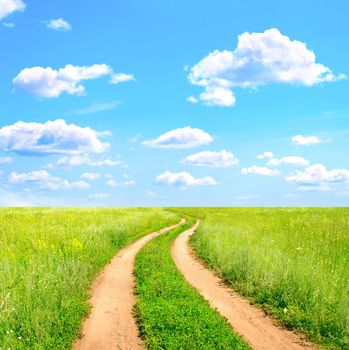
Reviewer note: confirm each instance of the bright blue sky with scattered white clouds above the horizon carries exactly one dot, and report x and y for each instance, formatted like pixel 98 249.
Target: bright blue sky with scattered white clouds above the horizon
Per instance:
pixel 174 103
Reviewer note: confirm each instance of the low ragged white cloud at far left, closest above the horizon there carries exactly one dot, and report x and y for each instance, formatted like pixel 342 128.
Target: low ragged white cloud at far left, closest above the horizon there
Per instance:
pixel 46 181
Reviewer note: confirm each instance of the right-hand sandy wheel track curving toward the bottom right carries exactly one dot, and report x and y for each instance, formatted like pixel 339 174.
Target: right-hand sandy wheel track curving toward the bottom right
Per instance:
pixel 250 322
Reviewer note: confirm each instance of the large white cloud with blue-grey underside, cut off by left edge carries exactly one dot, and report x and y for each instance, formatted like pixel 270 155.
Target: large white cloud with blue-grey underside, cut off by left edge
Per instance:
pixel 52 137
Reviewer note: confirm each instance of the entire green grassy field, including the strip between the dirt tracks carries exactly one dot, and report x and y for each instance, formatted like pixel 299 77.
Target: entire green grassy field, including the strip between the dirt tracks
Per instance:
pixel 293 262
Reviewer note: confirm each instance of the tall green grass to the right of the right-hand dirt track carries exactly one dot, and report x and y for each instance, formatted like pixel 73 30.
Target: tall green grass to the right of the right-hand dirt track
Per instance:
pixel 294 262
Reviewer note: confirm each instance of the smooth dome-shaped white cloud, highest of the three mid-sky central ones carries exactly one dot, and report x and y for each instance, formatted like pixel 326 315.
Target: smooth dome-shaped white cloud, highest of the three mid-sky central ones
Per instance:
pixel 186 137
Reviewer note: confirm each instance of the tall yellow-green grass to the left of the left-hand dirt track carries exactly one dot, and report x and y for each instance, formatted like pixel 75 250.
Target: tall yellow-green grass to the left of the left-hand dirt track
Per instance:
pixel 48 259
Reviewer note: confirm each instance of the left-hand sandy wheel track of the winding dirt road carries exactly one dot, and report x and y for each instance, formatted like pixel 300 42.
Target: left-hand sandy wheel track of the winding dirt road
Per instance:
pixel 111 324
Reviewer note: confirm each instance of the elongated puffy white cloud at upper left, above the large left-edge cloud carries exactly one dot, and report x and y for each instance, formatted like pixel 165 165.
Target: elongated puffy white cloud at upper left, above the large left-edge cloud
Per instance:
pixel 49 83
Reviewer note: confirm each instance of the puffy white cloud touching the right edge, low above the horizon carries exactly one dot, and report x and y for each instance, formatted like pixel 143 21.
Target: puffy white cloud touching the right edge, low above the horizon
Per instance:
pixel 317 177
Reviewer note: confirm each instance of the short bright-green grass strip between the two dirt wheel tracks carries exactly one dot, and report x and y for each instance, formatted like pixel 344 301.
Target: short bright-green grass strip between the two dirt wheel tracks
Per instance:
pixel 171 314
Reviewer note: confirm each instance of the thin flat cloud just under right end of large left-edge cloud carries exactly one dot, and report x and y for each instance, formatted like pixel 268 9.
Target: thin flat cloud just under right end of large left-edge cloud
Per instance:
pixel 87 160
